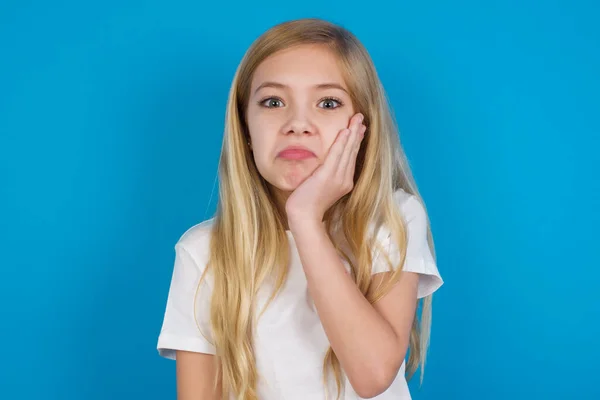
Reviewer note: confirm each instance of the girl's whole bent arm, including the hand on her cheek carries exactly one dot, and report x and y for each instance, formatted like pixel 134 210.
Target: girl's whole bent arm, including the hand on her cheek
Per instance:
pixel 370 342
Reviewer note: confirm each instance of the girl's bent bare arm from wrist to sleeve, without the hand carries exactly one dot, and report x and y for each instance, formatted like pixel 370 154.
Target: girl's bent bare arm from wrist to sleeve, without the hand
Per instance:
pixel 370 341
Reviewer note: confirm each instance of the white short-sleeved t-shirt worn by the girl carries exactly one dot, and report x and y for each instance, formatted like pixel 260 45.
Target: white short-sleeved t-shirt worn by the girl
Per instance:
pixel 290 342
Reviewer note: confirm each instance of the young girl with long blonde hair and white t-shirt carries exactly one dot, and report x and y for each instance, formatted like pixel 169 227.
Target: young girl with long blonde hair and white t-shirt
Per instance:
pixel 306 282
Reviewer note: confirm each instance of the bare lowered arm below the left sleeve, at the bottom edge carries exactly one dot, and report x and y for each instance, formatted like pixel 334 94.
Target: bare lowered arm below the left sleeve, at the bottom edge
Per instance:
pixel 195 376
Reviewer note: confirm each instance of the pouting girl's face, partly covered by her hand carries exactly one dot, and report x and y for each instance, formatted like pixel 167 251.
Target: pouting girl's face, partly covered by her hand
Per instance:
pixel 298 98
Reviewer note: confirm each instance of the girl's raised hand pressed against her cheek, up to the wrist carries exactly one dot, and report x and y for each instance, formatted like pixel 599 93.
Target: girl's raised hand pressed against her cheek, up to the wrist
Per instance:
pixel 331 180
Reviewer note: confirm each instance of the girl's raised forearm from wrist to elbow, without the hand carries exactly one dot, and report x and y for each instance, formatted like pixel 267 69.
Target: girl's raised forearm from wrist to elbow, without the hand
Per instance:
pixel 364 342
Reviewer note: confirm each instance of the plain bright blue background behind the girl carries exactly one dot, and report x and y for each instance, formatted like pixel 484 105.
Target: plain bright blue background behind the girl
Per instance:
pixel 111 119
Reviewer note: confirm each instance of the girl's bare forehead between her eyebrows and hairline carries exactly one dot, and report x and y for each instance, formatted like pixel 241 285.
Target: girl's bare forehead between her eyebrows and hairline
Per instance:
pixel 299 66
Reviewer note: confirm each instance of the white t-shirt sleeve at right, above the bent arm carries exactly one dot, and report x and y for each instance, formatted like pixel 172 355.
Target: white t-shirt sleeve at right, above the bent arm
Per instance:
pixel 418 255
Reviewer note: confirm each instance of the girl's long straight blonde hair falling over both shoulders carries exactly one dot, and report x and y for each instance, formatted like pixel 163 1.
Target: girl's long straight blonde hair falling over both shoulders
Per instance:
pixel 248 241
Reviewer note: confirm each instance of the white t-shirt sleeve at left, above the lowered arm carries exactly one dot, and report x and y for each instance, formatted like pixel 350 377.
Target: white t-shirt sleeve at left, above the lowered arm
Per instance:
pixel 180 330
